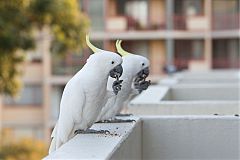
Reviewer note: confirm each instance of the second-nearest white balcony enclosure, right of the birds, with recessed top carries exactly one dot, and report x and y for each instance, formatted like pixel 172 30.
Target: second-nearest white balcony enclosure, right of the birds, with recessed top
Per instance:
pixel 187 100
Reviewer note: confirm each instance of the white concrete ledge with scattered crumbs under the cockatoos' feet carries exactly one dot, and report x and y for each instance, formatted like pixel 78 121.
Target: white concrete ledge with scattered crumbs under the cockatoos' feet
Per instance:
pixel 120 143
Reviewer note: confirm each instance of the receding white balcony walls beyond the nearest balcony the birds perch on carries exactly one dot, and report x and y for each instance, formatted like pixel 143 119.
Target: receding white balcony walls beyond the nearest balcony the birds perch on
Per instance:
pixel 206 93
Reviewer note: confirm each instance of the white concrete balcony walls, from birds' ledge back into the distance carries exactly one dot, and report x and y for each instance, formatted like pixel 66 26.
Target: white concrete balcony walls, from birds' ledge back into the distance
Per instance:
pixel 188 116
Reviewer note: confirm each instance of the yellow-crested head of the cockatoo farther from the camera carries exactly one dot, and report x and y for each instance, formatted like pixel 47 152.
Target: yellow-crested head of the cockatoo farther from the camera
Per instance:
pixel 135 65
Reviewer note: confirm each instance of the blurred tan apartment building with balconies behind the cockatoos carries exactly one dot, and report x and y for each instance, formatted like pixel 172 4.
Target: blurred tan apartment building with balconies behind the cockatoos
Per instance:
pixel 189 34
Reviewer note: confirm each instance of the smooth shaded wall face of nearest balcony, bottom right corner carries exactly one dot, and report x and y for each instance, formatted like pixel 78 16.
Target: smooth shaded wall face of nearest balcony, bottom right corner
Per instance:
pixel 172 138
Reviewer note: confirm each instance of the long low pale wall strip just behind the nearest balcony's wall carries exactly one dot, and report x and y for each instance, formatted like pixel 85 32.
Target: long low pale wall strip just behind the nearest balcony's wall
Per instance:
pixel 189 108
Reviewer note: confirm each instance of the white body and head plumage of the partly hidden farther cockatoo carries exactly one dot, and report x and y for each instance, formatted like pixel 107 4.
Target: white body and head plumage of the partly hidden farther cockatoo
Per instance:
pixel 132 64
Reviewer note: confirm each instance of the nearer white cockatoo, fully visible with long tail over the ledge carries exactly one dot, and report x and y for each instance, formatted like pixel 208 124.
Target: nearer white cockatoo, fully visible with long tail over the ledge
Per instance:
pixel 85 94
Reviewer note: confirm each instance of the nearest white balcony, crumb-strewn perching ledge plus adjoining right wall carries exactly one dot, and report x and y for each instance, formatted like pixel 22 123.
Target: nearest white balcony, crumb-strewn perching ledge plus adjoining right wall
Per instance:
pixel 158 137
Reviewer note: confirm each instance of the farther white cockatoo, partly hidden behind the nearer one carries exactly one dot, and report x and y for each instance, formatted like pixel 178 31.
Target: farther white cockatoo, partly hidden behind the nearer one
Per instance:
pixel 135 71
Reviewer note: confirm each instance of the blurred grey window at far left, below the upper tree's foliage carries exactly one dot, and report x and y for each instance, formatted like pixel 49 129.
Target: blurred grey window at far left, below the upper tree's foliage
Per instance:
pixel 31 94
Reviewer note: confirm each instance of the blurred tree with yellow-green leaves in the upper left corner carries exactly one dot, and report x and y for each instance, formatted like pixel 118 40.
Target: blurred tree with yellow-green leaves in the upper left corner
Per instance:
pixel 19 19
